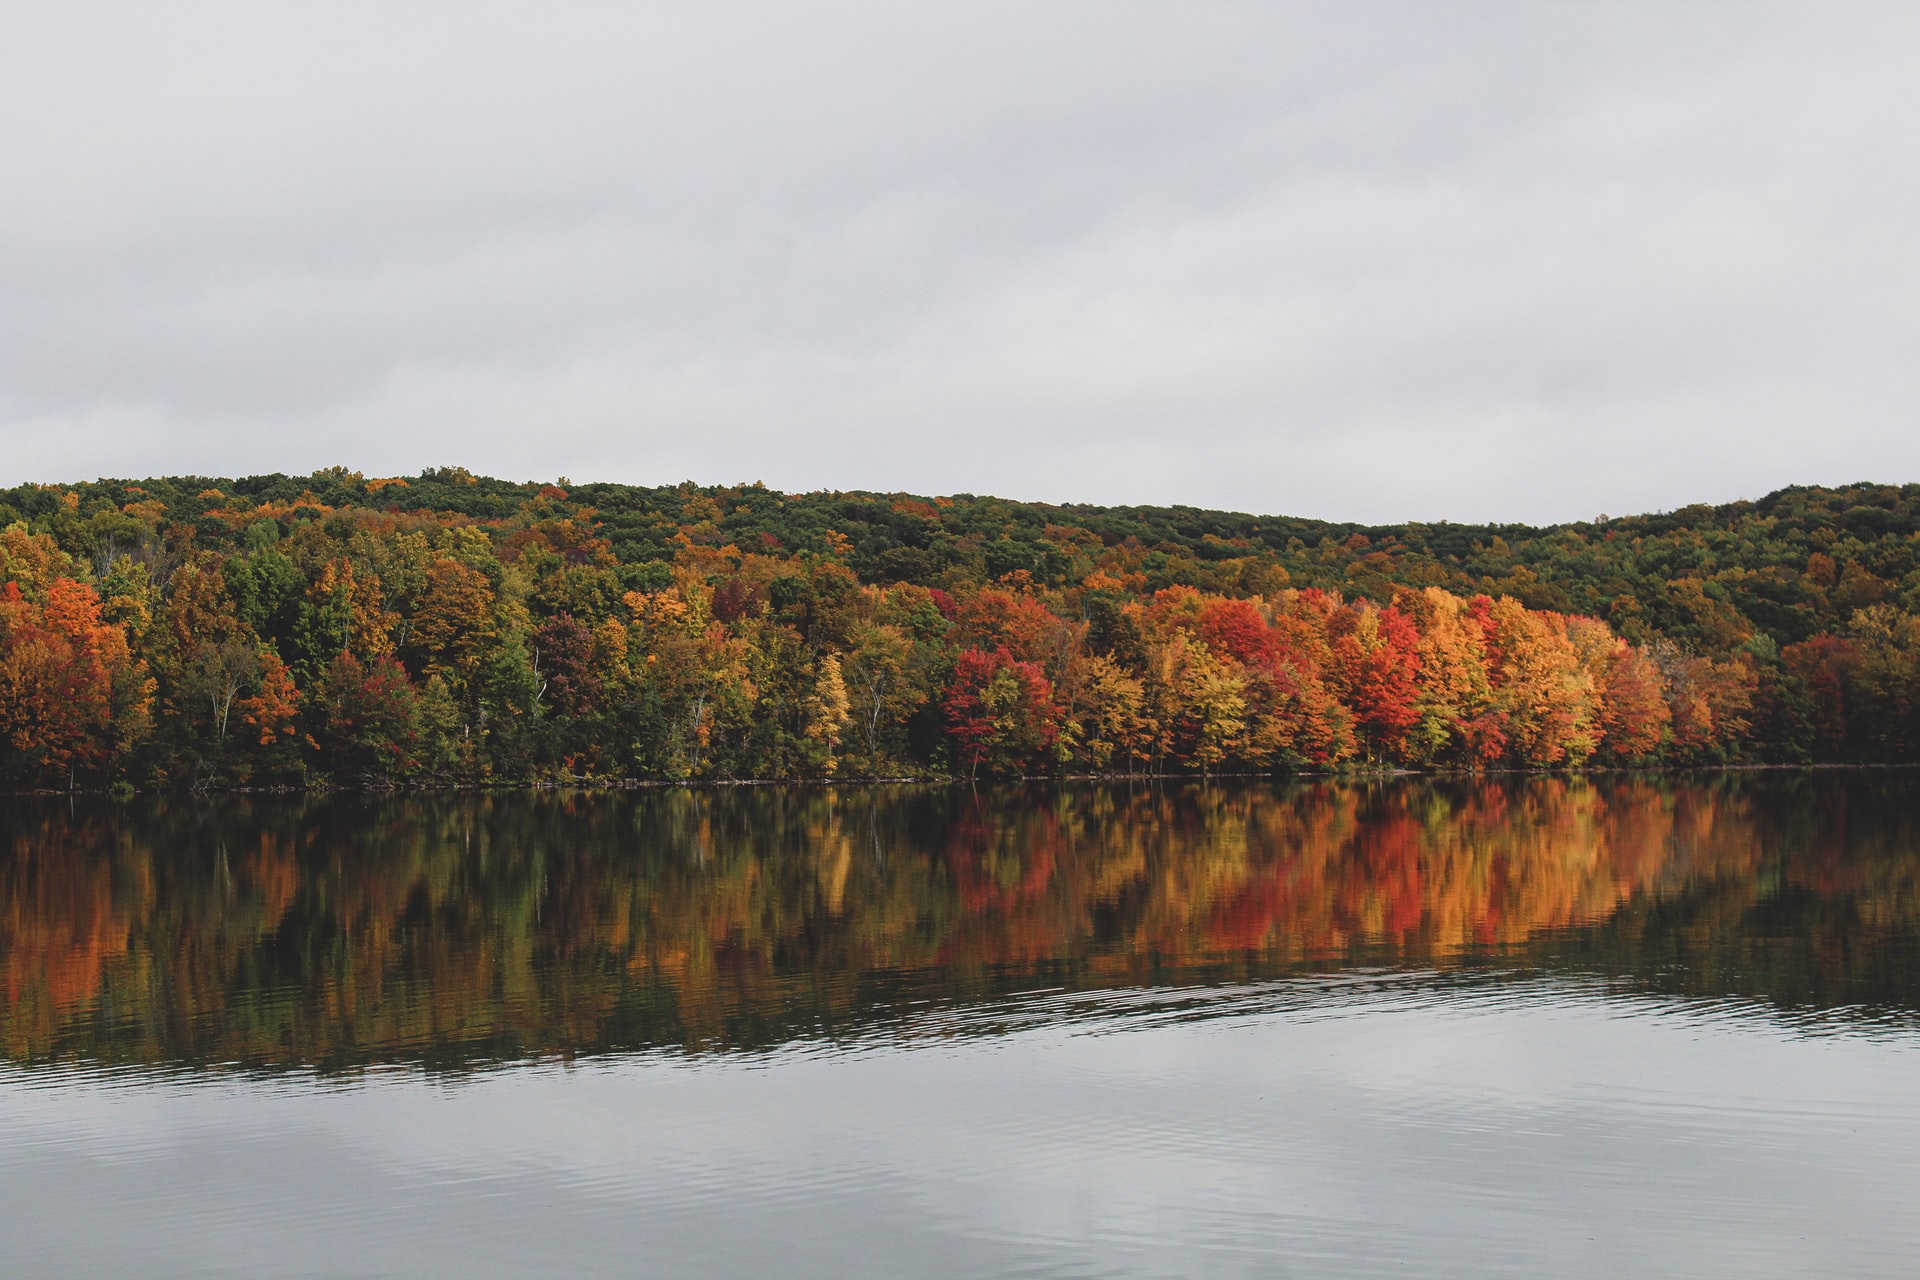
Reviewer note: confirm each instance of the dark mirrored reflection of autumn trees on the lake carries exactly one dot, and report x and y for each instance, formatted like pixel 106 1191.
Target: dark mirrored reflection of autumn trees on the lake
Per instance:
pixel 466 928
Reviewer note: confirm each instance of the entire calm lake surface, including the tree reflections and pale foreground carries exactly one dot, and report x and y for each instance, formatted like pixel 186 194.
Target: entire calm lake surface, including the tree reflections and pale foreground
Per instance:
pixel 1412 1028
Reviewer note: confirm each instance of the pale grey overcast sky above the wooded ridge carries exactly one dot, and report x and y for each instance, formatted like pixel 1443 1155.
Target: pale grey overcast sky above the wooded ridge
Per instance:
pixel 1383 262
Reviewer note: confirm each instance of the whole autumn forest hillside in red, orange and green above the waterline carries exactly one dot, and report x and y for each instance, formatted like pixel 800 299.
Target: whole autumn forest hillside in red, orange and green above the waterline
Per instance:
pixel 448 628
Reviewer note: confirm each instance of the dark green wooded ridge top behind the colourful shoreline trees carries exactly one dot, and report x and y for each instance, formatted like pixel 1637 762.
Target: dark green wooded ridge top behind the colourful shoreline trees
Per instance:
pixel 1790 565
